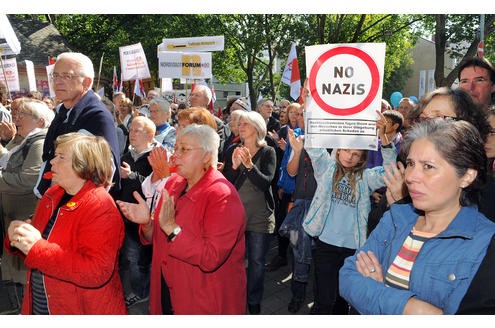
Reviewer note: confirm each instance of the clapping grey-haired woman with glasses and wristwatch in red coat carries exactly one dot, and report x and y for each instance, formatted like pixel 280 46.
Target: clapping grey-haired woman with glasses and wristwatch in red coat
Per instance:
pixel 197 233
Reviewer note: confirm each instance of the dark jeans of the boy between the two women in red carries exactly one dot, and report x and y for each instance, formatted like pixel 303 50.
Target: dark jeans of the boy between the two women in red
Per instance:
pixel 137 262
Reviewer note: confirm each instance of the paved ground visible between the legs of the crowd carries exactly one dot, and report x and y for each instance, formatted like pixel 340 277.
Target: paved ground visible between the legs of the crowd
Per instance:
pixel 277 293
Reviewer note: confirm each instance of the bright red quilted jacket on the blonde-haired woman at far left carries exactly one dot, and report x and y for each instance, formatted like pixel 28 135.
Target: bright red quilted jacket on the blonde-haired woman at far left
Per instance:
pixel 80 258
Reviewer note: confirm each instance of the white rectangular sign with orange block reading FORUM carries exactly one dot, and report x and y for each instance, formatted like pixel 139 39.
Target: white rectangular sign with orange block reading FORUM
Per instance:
pixel 196 65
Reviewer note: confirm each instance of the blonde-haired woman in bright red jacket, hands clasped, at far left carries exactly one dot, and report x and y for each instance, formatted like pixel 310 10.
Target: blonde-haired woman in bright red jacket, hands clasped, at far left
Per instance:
pixel 70 248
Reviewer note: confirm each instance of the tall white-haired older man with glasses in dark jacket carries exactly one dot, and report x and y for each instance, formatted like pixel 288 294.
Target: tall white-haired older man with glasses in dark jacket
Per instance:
pixel 80 111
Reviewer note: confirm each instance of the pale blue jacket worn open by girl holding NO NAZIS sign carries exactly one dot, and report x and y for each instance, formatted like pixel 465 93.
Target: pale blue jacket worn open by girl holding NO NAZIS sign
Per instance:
pixel 324 166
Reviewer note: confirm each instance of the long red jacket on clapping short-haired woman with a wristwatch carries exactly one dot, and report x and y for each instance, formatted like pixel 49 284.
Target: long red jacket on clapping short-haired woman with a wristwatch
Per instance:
pixel 204 265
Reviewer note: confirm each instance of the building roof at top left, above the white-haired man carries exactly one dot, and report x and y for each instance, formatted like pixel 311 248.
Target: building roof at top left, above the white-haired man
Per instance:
pixel 38 40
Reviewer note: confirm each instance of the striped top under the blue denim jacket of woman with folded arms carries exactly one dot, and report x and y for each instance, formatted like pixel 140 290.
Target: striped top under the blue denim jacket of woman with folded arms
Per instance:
pixel 398 275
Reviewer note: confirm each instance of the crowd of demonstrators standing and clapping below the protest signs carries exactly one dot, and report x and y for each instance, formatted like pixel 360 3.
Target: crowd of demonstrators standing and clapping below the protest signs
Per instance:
pixel 169 205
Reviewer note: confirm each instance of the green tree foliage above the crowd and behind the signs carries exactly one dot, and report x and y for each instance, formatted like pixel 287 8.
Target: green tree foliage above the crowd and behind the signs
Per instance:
pixel 255 42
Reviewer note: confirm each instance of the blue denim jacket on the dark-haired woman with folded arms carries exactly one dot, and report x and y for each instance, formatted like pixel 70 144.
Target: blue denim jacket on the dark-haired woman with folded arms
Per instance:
pixel 442 271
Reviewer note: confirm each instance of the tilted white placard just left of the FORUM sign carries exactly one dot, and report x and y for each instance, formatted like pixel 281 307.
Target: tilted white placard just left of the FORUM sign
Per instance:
pixel 133 63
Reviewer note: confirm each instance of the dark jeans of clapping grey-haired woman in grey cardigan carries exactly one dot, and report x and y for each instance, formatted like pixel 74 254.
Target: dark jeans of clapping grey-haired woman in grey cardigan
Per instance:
pixel 257 244
